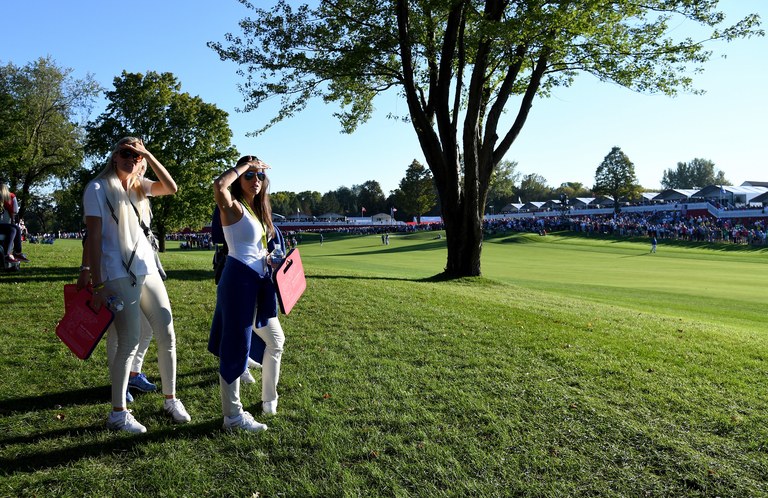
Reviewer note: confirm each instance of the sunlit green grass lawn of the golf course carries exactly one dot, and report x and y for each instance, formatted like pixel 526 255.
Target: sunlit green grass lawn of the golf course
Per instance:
pixel 573 367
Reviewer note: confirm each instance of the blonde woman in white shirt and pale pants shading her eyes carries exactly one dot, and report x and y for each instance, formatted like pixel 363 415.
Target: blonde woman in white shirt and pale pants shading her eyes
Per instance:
pixel 122 264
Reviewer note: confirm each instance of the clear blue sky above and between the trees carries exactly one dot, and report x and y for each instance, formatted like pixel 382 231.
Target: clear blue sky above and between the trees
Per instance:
pixel 565 139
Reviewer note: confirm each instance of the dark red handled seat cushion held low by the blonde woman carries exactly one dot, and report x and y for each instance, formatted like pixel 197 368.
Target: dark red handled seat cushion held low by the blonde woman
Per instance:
pixel 81 328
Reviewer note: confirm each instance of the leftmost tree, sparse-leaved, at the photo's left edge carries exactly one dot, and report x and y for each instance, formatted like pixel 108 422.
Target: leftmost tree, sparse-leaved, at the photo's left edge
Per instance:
pixel 41 135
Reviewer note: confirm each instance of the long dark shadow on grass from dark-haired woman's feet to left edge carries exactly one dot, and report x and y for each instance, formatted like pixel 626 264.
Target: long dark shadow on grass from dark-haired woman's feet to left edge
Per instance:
pixel 122 442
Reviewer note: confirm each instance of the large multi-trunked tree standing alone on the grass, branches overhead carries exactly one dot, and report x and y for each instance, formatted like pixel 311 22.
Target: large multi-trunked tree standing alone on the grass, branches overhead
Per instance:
pixel 458 64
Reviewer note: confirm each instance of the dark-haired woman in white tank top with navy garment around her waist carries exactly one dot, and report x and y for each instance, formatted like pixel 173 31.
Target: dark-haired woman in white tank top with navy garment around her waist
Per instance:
pixel 245 300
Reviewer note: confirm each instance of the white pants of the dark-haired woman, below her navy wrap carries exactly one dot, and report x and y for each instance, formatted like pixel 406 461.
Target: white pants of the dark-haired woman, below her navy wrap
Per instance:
pixel 273 335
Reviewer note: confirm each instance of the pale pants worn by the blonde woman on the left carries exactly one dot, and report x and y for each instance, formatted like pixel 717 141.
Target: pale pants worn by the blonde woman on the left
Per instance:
pixel 150 298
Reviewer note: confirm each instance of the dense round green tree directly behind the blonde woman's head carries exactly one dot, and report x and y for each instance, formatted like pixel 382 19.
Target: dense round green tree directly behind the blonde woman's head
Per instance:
pixel 191 138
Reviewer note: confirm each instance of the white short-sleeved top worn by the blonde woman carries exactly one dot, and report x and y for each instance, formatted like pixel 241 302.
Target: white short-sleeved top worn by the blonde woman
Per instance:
pixel 95 204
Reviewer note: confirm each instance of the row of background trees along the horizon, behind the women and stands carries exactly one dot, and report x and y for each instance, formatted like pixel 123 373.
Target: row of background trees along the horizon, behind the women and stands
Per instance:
pixel 48 152
